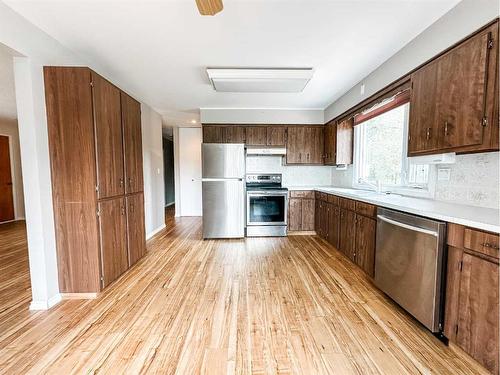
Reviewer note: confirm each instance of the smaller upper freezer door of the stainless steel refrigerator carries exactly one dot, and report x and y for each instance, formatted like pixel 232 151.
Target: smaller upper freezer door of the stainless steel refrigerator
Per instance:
pixel 223 160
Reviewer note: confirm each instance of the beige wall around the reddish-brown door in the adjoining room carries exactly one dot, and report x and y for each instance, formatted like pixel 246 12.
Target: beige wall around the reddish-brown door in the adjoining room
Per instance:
pixel 9 128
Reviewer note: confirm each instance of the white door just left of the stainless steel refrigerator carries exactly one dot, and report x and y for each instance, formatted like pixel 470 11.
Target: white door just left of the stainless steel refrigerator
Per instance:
pixel 190 140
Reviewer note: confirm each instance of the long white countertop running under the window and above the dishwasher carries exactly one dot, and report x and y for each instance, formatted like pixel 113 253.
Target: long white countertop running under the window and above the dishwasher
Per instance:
pixel 476 217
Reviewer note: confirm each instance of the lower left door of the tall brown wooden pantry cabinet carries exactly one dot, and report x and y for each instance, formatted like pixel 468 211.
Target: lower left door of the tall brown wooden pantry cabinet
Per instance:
pixel 113 239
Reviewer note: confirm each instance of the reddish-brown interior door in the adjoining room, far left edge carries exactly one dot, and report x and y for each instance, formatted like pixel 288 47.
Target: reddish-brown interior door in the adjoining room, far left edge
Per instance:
pixel 6 193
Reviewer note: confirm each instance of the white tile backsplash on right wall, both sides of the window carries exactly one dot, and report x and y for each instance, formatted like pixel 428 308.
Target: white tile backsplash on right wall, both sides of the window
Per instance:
pixel 474 180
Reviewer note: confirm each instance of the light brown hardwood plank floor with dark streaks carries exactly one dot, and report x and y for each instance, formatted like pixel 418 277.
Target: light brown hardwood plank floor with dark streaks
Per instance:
pixel 256 306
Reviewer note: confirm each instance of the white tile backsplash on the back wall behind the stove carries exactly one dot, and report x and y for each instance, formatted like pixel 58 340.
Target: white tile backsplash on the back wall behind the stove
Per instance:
pixel 292 175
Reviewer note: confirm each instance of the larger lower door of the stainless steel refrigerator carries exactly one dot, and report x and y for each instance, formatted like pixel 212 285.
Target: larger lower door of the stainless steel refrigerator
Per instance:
pixel 223 208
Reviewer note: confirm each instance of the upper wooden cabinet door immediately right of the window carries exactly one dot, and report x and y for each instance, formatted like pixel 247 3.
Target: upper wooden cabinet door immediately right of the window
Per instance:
pixel 422 128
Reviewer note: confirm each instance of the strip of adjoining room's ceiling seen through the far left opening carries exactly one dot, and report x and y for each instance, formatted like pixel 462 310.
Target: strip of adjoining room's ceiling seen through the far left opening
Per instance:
pixel 8 109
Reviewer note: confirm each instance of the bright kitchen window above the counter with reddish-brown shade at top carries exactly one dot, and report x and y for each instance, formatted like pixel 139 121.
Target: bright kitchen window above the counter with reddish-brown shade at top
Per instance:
pixel 380 150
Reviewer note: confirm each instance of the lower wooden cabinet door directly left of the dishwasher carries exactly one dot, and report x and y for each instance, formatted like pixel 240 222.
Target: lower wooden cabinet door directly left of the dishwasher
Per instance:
pixel 366 229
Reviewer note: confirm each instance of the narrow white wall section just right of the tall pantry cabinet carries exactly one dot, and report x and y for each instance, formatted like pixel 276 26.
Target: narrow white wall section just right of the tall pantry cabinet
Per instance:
pixel 152 153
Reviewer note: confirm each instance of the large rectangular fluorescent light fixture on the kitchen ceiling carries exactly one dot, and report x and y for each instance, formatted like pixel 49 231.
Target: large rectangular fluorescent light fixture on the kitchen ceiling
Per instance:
pixel 259 80
